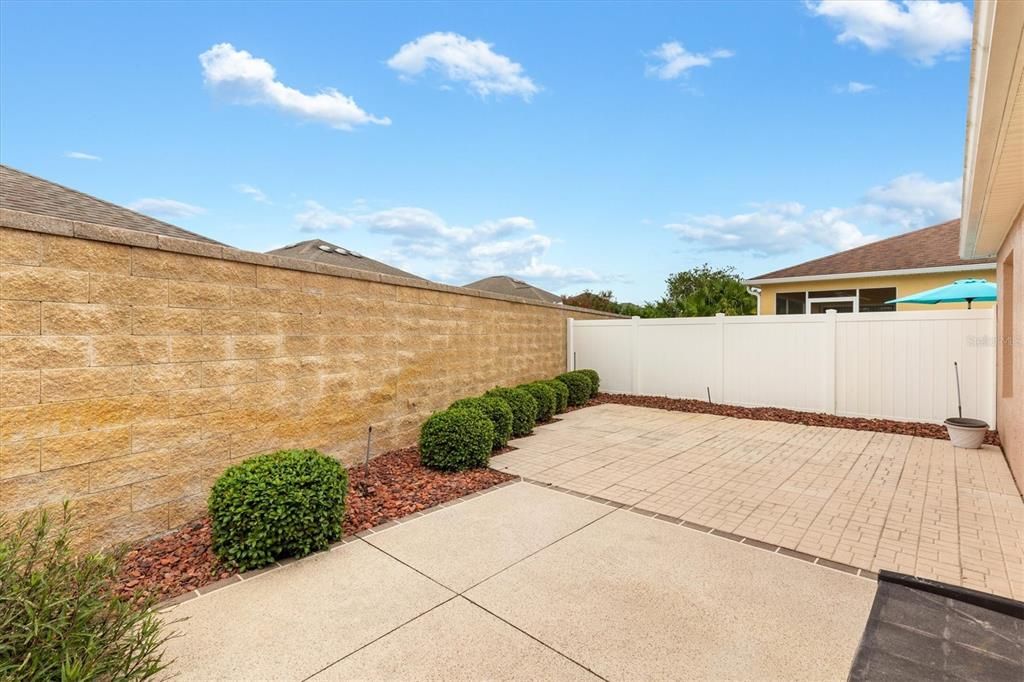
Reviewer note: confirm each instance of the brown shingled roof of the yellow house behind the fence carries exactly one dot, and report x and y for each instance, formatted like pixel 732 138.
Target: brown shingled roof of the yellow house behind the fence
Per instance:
pixel 937 246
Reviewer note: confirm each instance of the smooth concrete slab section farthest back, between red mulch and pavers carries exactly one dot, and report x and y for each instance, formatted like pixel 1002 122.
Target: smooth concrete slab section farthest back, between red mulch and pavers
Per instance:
pixel 465 544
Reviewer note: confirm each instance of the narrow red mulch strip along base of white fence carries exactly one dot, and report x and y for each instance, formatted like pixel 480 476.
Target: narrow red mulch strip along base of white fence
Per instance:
pixel 788 416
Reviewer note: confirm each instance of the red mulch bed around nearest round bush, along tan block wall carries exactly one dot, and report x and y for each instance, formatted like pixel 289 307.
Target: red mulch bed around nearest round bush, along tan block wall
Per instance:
pixel 396 485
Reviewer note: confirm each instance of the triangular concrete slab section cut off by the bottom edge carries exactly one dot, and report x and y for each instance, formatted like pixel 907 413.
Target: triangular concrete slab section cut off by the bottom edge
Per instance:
pixel 456 642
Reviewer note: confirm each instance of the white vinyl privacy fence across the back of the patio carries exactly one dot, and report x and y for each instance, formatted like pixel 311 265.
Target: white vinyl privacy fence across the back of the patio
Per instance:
pixel 885 365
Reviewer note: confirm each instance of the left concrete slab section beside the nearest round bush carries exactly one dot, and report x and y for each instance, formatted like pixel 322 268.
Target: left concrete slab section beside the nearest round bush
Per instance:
pixel 291 623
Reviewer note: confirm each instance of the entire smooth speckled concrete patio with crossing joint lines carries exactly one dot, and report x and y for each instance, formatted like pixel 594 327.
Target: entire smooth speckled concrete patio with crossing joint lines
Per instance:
pixel 528 583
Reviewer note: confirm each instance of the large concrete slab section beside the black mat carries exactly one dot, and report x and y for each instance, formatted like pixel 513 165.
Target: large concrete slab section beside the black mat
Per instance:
pixel 632 598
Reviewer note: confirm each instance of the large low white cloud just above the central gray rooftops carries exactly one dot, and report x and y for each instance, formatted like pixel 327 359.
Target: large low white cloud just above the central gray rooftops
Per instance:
pixel 423 241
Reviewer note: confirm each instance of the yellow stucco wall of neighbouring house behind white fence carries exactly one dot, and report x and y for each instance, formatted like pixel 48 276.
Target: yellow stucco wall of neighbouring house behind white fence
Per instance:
pixel 906 285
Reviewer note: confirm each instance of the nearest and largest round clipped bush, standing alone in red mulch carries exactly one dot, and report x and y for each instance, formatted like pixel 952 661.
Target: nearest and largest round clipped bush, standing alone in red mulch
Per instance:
pixel 273 506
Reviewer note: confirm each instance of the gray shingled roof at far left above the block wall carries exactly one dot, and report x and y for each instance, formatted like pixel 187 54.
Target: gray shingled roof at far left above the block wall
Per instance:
pixel 22 192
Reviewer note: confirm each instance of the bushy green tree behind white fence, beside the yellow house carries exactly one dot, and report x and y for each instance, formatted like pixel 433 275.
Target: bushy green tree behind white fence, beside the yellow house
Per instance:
pixel 704 291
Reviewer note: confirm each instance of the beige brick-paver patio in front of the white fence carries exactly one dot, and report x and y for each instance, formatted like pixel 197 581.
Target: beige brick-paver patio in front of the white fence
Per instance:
pixel 868 500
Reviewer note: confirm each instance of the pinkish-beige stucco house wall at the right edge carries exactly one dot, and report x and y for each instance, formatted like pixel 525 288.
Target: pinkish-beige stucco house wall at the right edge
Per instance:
pixel 1010 399
